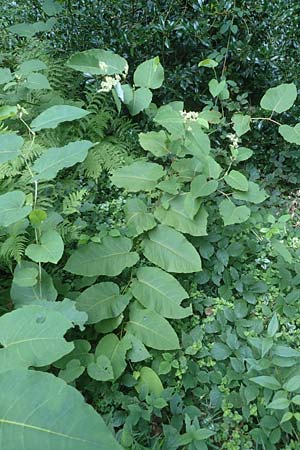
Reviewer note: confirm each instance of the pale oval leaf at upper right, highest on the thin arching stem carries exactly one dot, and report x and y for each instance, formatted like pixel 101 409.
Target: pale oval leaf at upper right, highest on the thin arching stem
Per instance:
pixel 280 98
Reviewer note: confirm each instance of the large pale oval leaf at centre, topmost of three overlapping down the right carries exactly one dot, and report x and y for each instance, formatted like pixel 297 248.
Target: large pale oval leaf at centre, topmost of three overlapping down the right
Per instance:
pixel 171 251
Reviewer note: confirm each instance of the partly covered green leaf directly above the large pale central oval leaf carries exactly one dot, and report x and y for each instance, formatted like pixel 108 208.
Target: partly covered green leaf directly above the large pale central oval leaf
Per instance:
pixel 176 216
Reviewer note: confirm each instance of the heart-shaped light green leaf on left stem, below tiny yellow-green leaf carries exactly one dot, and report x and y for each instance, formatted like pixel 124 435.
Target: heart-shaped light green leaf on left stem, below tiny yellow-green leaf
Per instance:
pixel 50 248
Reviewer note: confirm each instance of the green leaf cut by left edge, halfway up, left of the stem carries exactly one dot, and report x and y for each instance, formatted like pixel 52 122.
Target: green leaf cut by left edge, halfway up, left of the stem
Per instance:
pixel 12 209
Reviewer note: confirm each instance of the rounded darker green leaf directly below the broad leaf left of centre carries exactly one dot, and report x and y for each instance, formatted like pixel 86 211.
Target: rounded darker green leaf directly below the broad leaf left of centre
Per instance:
pixel 102 301
